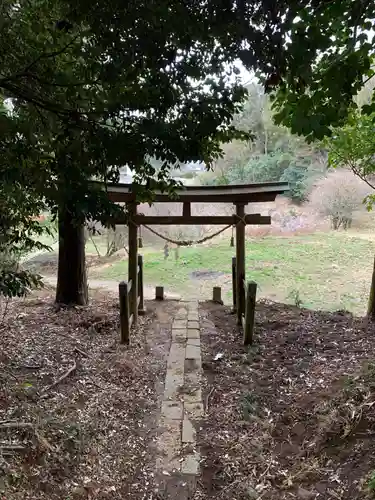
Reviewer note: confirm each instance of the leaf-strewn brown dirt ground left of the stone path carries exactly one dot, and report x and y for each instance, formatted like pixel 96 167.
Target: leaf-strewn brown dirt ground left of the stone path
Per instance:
pixel 78 411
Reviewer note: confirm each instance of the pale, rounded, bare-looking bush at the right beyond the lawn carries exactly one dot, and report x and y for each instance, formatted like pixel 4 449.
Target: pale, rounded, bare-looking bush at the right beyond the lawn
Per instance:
pixel 339 196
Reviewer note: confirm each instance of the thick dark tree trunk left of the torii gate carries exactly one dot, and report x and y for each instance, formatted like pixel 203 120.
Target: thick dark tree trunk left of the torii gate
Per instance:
pixel 71 278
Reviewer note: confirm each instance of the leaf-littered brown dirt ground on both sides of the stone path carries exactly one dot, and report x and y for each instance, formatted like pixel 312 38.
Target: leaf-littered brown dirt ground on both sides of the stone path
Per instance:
pixel 292 417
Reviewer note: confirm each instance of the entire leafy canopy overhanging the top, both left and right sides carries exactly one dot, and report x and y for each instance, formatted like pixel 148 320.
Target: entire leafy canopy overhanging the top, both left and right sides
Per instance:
pixel 97 85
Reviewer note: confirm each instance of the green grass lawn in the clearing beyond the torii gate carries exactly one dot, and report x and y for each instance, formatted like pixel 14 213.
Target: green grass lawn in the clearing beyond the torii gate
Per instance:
pixel 323 270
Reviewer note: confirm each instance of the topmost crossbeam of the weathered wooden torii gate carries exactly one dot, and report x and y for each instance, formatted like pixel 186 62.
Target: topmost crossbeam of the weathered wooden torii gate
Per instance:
pixel 237 194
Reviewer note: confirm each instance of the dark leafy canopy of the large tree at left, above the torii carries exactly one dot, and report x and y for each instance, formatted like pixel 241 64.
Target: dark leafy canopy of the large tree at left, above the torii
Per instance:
pixel 93 86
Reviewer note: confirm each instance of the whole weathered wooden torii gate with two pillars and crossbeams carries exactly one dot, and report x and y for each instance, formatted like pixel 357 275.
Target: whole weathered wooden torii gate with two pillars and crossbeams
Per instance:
pixel 238 195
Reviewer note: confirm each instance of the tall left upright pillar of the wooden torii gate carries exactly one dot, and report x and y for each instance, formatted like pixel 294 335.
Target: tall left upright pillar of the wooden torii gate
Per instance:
pixel 133 261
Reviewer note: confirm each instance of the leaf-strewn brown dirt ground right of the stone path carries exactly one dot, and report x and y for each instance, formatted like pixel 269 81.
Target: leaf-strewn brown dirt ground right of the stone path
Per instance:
pixel 292 416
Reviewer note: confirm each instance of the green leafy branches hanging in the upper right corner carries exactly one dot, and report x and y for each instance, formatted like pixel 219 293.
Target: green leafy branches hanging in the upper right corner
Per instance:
pixel 328 56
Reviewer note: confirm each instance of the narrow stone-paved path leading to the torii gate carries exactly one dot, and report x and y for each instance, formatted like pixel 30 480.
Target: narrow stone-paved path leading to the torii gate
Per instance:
pixel 182 408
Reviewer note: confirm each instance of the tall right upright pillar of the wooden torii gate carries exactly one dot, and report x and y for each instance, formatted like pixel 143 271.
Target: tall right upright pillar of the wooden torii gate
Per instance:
pixel 240 261
